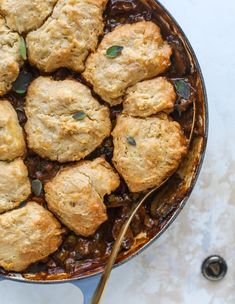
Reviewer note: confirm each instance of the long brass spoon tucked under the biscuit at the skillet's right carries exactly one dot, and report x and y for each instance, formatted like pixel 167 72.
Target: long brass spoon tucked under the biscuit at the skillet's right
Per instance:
pixel 117 245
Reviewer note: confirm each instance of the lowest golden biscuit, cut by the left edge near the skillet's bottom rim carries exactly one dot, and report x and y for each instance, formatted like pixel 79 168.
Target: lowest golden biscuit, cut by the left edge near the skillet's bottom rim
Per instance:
pixel 28 235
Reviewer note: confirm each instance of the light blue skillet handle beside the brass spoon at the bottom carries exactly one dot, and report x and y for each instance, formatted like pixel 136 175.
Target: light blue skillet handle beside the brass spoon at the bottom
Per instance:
pixel 88 287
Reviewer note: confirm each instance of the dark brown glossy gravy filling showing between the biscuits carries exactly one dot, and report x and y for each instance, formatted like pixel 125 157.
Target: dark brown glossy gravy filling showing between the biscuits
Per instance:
pixel 79 255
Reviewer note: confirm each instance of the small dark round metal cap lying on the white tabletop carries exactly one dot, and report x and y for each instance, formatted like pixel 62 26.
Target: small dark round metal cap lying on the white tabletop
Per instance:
pixel 214 268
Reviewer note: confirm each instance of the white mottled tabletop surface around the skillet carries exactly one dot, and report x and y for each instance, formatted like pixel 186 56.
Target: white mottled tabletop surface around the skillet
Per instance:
pixel 169 271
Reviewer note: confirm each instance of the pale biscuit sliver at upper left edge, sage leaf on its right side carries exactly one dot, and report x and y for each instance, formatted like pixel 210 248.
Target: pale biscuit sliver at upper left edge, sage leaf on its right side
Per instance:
pixel 10 59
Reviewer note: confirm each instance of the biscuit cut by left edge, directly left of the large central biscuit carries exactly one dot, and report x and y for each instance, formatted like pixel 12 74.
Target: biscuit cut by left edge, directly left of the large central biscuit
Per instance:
pixel 12 144
